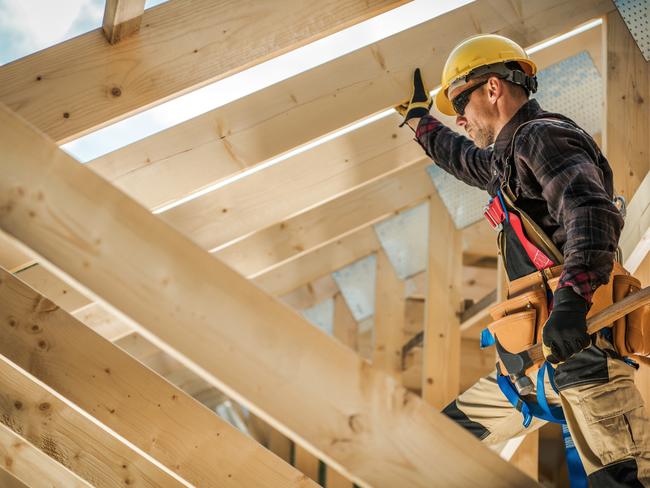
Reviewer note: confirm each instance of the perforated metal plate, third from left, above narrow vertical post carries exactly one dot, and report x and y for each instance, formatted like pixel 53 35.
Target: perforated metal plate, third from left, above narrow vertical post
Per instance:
pixel 404 238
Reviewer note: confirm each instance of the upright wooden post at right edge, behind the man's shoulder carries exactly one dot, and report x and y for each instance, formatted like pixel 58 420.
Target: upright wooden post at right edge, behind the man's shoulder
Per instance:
pixel 627 90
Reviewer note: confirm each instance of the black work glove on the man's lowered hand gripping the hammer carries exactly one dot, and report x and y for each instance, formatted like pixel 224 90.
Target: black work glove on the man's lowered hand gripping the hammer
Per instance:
pixel 565 331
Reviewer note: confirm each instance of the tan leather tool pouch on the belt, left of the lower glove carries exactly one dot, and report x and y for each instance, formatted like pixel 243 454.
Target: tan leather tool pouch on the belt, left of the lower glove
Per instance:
pixel 518 321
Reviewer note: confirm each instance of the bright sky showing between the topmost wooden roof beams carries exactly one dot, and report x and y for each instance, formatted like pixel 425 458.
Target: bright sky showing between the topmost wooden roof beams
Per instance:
pixel 26 26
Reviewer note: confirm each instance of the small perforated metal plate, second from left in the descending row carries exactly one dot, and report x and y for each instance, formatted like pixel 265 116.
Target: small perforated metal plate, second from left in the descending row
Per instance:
pixel 357 285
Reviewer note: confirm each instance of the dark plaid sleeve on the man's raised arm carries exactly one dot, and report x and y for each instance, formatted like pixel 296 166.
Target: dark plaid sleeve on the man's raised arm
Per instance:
pixel 454 153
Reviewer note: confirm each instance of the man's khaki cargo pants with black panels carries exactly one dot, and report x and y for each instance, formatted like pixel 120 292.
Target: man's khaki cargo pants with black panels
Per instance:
pixel 603 408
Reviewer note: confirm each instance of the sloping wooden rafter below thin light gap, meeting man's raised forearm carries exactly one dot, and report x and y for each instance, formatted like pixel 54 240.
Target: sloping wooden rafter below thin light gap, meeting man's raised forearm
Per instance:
pixel 304 181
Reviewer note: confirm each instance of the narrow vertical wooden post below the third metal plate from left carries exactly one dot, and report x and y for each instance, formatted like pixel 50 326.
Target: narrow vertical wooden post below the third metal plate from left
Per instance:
pixel 389 317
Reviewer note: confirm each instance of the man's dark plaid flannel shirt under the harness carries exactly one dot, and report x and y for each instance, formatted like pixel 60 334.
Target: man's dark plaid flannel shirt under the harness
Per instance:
pixel 560 178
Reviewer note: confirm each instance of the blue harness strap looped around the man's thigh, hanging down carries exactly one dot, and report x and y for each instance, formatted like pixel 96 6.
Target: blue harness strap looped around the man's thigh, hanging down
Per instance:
pixel 542 410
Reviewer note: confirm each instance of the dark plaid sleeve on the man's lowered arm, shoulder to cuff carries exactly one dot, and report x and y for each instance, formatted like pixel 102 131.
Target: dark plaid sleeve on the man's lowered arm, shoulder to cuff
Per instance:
pixel 564 163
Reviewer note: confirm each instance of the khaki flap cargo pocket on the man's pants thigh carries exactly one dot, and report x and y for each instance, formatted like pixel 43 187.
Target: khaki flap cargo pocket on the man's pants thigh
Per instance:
pixel 616 421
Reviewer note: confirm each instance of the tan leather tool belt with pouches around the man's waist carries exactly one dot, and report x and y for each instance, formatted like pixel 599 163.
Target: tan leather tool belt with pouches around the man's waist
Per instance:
pixel 519 320
